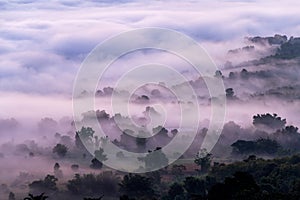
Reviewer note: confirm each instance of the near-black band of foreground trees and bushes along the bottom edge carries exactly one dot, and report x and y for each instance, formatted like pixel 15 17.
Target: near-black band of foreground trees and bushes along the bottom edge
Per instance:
pixel 252 178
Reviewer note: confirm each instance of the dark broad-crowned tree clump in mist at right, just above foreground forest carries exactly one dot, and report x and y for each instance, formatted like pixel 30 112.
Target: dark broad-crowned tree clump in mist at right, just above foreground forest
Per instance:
pixel 279 139
